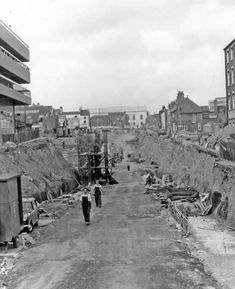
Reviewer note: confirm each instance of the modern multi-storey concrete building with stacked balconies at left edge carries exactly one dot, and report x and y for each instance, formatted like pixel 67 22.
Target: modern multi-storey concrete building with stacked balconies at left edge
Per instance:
pixel 14 52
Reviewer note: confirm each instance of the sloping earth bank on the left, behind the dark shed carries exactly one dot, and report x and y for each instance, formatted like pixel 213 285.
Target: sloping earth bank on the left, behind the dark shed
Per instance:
pixel 42 165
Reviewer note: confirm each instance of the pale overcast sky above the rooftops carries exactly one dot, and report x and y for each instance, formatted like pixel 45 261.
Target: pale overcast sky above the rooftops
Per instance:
pixel 98 53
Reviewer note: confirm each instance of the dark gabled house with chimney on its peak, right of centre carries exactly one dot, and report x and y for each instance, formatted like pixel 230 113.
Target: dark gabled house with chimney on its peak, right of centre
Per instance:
pixel 185 114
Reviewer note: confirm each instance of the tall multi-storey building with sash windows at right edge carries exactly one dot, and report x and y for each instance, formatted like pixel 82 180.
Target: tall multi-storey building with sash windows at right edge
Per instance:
pixel 230 80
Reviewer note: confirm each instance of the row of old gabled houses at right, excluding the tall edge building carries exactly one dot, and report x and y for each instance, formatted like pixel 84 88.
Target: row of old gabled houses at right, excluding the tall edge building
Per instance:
pixel 183 114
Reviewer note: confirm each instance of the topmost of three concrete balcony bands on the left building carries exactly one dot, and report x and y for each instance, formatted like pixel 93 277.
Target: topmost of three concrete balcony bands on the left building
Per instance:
pixel 13 43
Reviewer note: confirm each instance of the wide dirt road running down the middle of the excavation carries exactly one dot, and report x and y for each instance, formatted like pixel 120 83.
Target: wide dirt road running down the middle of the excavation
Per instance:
pixel 128 246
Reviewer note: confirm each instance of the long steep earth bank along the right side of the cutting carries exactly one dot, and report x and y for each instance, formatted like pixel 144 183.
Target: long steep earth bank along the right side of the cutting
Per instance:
pixel 188 166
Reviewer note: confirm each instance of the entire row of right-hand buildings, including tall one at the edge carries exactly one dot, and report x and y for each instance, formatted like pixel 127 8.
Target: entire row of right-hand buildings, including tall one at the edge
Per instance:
pixel 183 114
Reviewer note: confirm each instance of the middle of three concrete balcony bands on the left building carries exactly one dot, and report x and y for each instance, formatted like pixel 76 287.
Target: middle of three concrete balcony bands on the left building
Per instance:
pixel 13 68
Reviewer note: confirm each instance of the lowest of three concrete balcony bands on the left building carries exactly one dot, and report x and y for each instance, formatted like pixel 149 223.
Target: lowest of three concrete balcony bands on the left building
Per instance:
pixel 13 92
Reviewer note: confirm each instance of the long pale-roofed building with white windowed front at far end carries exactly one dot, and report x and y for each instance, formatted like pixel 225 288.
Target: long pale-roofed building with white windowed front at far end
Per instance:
pixel 137 116
